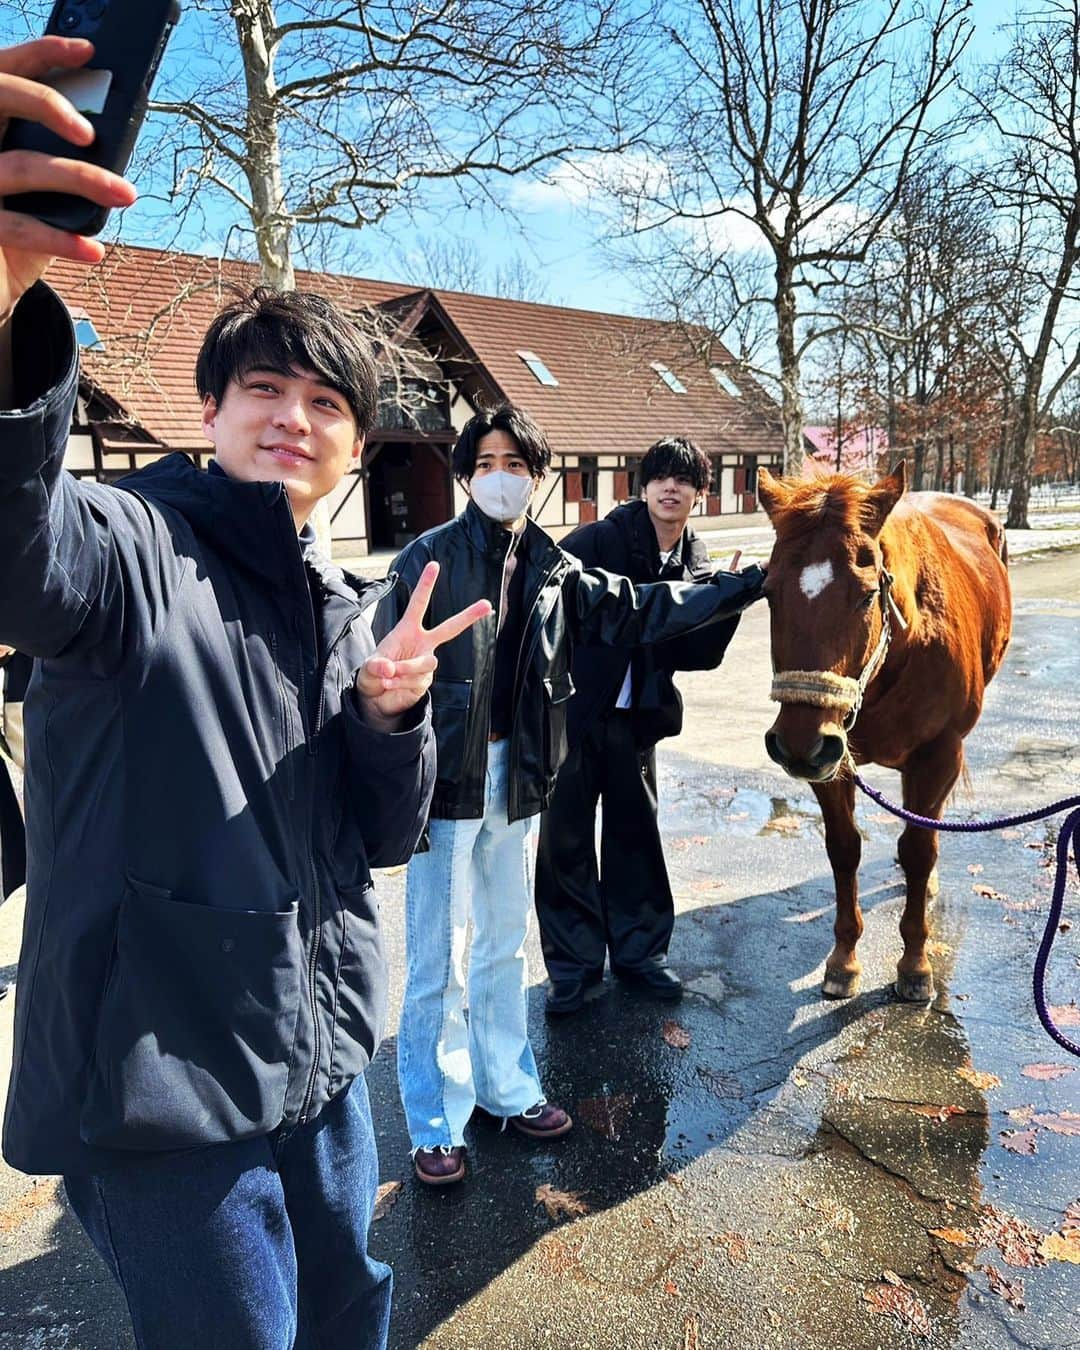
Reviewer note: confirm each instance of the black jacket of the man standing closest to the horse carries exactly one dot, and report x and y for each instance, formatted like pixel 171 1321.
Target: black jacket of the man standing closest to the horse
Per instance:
pixel 626 542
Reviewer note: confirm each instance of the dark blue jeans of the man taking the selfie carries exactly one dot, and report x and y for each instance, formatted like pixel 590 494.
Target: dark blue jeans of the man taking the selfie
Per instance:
pixel 256 1245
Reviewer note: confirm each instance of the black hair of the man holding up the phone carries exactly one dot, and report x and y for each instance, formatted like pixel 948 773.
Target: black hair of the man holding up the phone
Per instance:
pixel 290 330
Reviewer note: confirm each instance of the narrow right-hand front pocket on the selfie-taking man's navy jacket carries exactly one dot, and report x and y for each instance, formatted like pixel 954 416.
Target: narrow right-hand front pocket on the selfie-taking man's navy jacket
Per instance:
pixel 361 996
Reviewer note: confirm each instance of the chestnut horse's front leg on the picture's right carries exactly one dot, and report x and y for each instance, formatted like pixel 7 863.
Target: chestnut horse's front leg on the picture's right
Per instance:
pixel 928 780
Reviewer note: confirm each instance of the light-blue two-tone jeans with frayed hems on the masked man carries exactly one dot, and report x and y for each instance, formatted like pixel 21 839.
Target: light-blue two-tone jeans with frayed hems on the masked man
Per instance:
pixel 448 1066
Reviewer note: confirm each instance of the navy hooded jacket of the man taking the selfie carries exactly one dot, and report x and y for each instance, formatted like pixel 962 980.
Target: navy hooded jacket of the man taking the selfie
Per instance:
pixel 202 958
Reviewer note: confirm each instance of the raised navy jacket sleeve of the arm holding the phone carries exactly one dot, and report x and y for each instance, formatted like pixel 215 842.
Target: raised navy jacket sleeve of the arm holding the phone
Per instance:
pixel 72 556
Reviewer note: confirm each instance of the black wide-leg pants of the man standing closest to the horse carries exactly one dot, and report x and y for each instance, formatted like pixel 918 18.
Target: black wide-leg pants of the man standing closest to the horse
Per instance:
pixel 623 907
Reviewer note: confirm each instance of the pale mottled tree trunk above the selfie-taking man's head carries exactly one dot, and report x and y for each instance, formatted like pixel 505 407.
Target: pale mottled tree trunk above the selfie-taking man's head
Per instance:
pixel 256 24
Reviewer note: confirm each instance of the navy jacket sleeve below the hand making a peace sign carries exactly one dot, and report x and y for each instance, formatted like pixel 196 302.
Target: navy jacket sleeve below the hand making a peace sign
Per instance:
pixel 392 780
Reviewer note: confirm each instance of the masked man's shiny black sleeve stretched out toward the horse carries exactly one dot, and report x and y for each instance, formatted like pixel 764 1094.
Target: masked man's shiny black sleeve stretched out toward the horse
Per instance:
pixel 604 608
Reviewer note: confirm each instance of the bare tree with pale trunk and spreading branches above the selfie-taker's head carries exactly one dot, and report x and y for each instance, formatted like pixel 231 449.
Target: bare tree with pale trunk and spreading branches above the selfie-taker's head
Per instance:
pixel 299 119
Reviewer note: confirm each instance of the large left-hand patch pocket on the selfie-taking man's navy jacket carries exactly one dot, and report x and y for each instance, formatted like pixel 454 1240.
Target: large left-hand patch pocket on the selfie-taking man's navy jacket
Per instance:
pixel 196 1024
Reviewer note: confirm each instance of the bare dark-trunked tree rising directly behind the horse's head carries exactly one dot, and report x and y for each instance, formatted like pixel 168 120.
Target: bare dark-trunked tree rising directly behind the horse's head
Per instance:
pixel 801 119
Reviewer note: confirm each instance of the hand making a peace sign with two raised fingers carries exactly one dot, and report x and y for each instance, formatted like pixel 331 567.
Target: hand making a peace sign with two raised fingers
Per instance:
pixel 399 674
